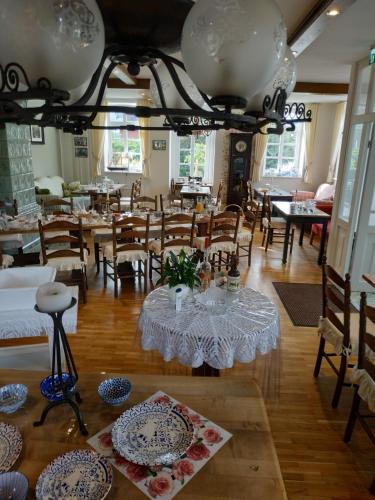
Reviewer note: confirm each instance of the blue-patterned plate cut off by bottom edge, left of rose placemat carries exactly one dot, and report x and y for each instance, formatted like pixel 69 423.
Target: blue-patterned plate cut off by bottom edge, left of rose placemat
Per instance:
pixel 78 474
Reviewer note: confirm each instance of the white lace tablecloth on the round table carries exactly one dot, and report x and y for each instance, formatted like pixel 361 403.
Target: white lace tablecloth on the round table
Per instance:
pixel 194 336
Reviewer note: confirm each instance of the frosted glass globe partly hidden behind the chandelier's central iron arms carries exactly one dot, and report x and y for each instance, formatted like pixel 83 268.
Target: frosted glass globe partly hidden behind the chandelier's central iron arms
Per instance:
pixel 172 96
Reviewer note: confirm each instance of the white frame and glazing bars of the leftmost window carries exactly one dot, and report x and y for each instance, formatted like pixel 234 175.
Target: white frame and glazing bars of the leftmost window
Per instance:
pixel 108 164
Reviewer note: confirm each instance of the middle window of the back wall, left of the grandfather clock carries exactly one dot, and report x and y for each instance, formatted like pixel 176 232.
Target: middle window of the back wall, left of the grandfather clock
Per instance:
pixel 192 155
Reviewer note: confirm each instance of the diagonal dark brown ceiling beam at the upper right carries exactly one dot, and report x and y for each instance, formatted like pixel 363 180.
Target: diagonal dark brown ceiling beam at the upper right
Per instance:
pixel 315 23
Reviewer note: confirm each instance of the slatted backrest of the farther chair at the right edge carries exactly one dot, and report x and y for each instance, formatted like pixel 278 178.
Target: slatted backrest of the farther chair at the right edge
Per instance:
pixel 336 296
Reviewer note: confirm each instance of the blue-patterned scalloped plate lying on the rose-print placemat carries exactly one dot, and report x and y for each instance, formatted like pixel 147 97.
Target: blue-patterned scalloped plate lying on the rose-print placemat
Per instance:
pixel 152 434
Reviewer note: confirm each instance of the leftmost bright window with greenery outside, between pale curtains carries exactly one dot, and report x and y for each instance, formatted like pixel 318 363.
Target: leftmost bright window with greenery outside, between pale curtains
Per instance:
pixel 123 147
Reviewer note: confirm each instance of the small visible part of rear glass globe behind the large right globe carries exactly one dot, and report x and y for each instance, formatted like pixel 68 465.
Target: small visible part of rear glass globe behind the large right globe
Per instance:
pixel 285 78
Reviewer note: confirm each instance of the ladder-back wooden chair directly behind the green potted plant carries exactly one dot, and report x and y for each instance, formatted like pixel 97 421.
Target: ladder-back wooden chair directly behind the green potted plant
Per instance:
pixel 178 232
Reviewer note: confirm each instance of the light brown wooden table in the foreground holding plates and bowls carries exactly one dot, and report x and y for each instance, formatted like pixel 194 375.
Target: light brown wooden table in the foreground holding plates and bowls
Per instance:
pixel 245 467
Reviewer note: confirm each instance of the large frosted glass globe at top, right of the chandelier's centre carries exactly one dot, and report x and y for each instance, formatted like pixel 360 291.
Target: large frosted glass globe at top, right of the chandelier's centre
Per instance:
pixel 233 47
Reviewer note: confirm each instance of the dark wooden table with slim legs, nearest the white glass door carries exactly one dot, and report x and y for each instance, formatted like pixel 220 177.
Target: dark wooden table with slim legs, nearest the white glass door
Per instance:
pixel 299 213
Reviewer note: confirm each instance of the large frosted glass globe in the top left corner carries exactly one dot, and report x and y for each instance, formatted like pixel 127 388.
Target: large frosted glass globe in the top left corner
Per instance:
pixel 58 40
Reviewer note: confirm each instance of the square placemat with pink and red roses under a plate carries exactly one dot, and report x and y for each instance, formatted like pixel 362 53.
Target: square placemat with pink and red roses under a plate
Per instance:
pixel 165 482
